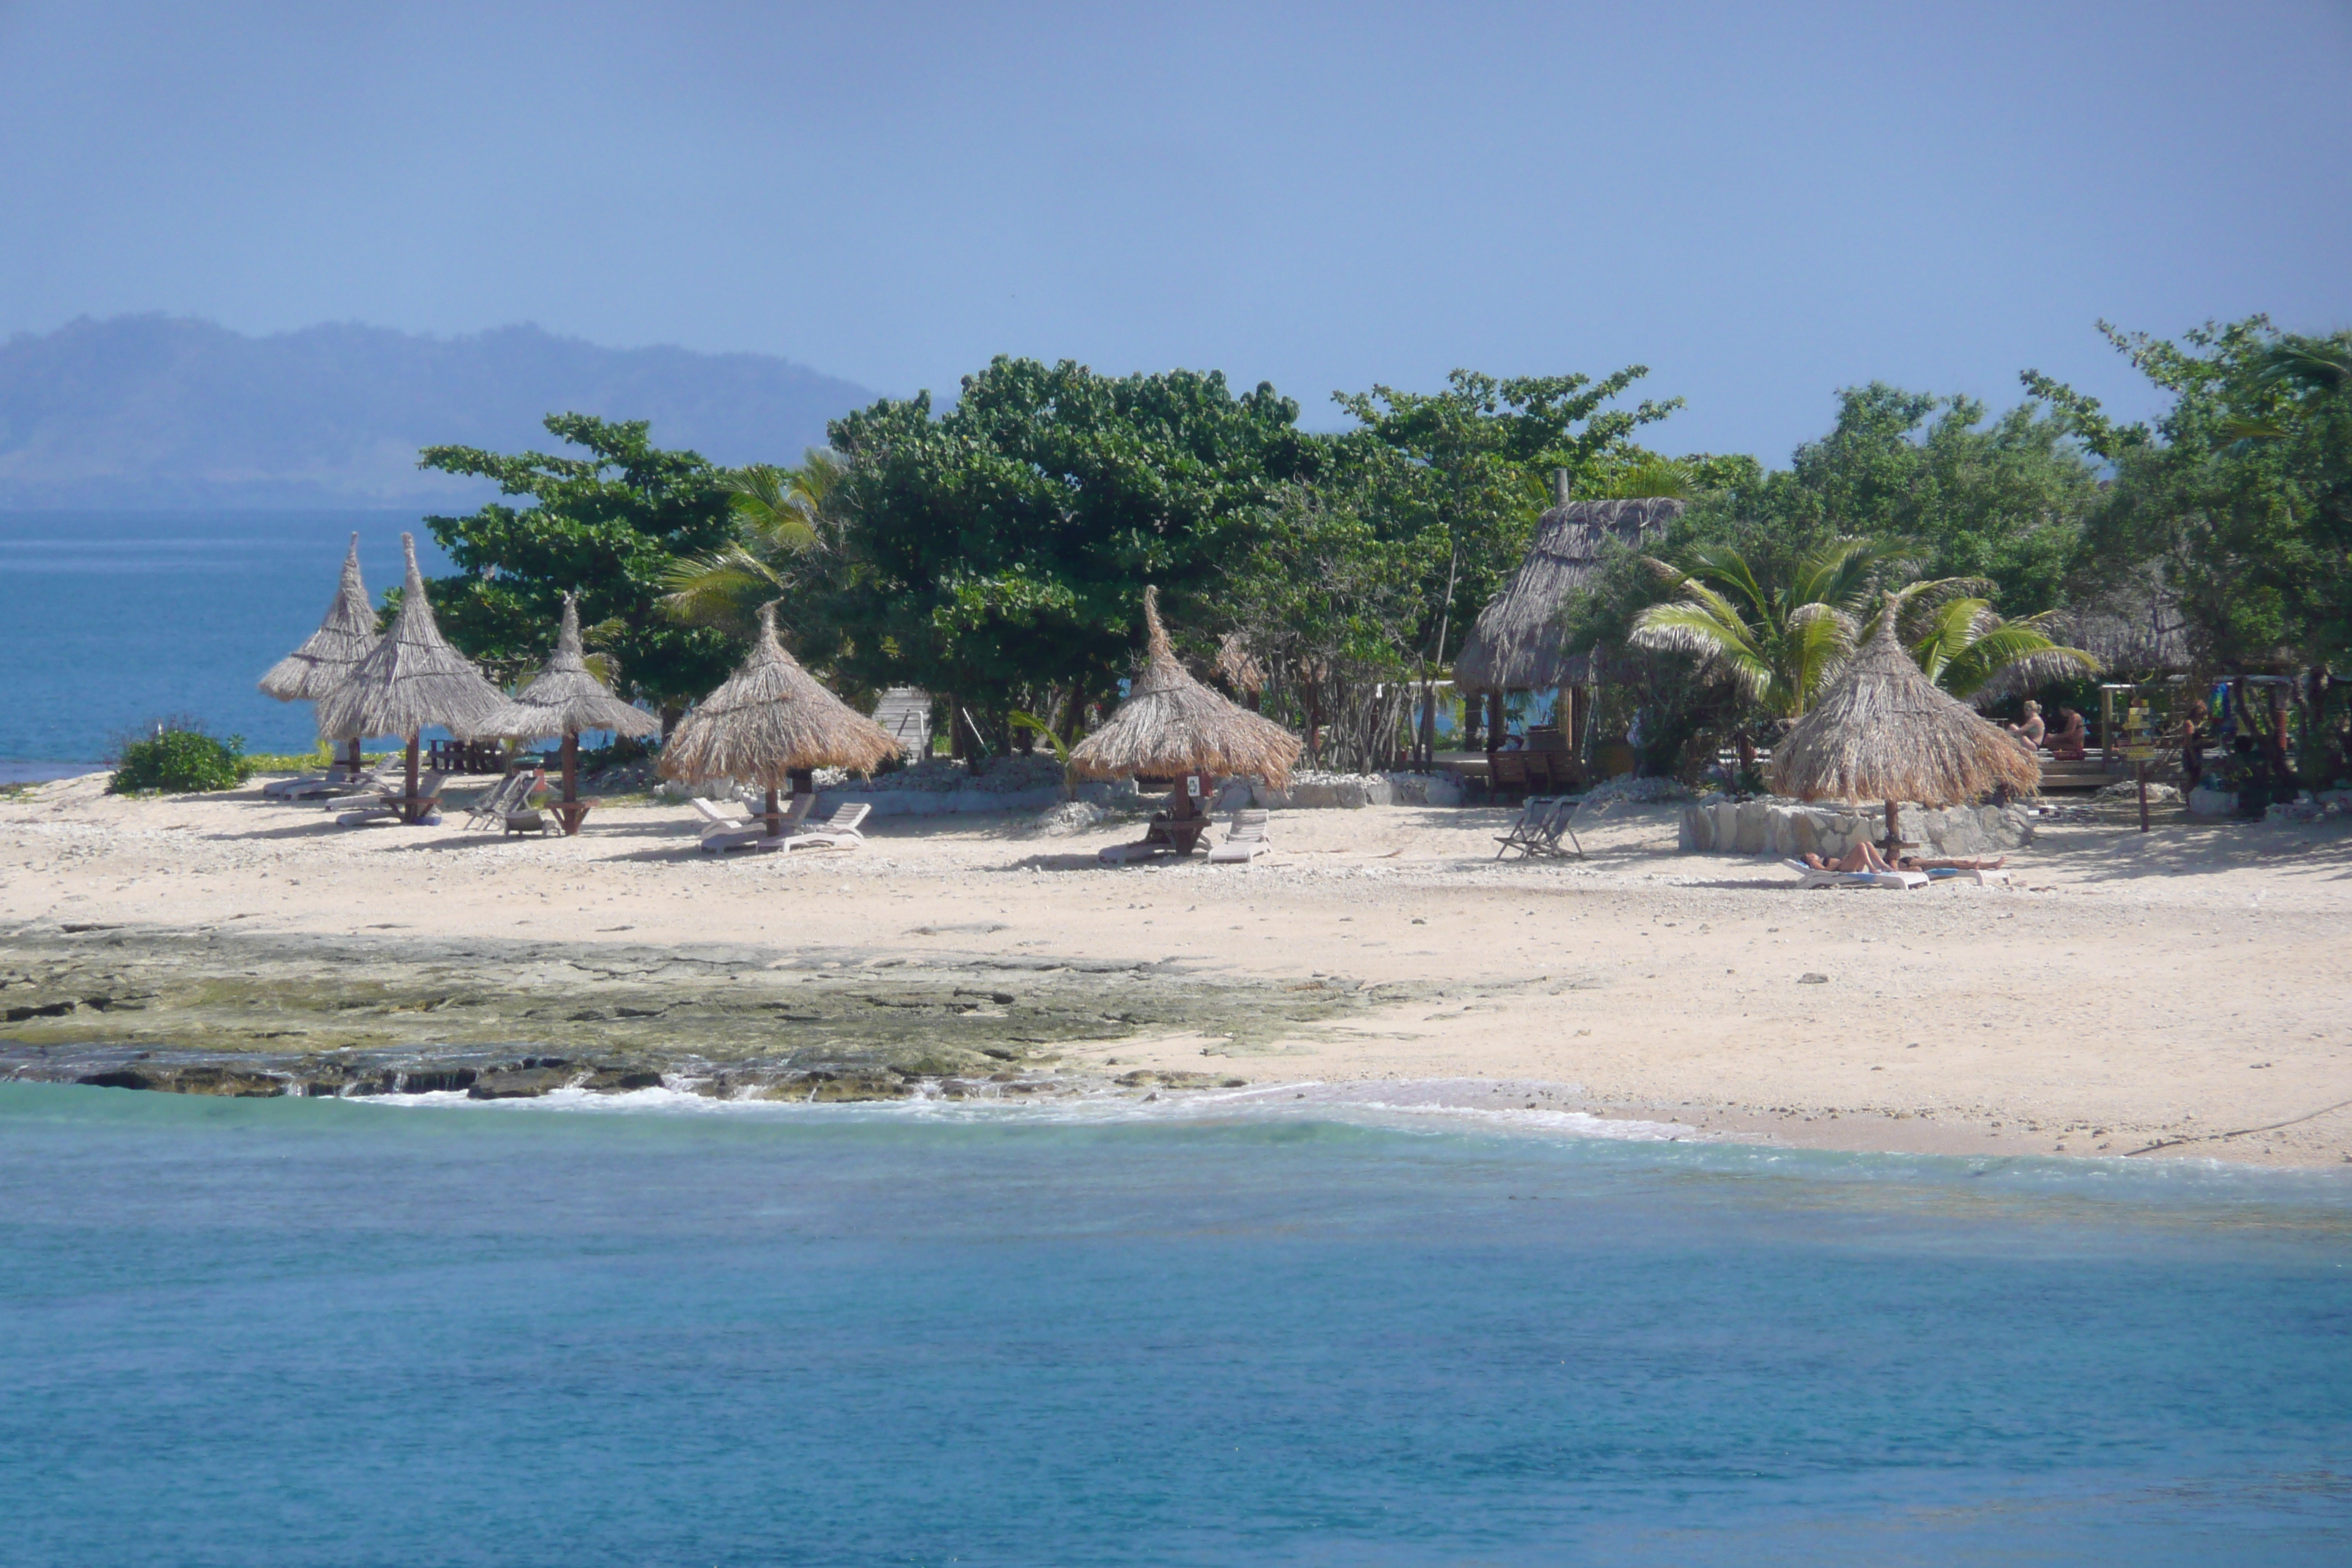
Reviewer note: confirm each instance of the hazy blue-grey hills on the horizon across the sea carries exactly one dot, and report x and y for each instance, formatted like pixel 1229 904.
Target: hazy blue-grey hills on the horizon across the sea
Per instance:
pixel 156 413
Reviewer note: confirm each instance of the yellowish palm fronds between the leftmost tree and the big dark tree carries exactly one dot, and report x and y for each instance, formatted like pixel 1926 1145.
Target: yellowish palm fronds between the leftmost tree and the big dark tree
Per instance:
pixel 784 525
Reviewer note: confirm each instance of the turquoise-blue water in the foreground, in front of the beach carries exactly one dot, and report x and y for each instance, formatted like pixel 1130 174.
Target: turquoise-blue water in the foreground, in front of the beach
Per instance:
pixel 302 1332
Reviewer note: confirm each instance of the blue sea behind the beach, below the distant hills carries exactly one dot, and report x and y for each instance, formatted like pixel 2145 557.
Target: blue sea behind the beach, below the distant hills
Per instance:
pixel 112 622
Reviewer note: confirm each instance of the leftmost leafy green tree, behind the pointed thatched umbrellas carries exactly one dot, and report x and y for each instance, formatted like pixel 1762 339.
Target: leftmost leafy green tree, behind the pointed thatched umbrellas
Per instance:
pixel 610 528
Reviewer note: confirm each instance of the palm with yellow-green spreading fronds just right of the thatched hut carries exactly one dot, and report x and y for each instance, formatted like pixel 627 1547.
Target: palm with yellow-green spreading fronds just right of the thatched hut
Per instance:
pixel 1779 641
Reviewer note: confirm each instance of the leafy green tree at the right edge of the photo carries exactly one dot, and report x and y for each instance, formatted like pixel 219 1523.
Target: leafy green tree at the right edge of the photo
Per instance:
pixel 2243 490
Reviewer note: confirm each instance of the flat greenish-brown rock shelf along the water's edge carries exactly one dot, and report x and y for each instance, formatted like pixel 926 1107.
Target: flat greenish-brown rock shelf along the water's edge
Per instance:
pixel 232 1014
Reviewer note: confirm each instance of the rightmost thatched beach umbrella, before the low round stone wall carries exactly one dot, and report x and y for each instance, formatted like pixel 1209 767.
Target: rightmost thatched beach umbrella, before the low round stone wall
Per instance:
pixel 1885 732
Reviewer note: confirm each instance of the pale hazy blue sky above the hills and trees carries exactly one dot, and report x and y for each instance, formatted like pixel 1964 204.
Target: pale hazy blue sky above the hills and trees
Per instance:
pixel 1760 203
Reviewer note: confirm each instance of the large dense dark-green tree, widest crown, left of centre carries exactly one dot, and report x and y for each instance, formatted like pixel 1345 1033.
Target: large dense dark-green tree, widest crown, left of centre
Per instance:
pixel 1003 547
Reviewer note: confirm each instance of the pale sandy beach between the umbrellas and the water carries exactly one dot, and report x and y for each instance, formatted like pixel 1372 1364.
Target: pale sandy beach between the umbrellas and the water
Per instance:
pixel 2167 996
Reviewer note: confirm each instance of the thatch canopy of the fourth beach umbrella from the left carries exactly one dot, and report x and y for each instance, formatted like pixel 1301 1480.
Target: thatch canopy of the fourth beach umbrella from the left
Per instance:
pixel 773 721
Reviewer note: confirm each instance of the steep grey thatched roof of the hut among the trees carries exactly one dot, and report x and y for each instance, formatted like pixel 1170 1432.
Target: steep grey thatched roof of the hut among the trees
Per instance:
pixel 1516 641
